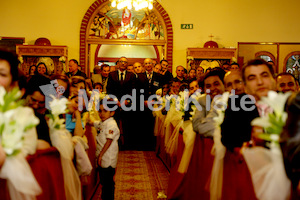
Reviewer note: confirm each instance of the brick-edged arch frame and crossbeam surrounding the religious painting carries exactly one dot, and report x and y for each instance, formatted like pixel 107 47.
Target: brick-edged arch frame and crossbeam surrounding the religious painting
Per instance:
pixel 95 11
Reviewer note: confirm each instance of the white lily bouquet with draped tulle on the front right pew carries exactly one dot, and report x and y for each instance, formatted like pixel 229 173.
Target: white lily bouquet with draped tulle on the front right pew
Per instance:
pixel 266 165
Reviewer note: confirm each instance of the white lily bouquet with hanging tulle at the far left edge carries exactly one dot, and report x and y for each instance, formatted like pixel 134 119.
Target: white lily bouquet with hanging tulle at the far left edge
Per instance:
pixel 17 134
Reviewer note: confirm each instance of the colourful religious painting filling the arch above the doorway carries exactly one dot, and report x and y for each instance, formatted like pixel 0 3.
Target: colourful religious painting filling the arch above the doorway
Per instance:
pixel 112 23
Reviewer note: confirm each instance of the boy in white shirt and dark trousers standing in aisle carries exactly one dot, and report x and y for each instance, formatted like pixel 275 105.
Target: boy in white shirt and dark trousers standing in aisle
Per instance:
pixel 107 150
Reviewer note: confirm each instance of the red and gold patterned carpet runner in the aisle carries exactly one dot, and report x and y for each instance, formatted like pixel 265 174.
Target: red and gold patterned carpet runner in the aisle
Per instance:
pixel 140 176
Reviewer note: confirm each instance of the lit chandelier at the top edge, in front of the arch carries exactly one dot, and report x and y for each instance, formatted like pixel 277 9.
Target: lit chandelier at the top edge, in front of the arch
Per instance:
pixel 136 4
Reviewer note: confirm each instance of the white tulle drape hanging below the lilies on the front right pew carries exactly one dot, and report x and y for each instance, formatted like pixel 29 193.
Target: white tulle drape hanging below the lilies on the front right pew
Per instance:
pixel 267 172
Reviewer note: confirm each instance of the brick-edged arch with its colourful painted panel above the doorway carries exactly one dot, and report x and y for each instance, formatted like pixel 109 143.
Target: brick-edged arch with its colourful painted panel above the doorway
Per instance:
pixel 103 24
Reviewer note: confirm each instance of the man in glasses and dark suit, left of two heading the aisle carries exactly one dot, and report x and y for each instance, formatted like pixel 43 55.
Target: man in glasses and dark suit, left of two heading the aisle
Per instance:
pixel 120 83
